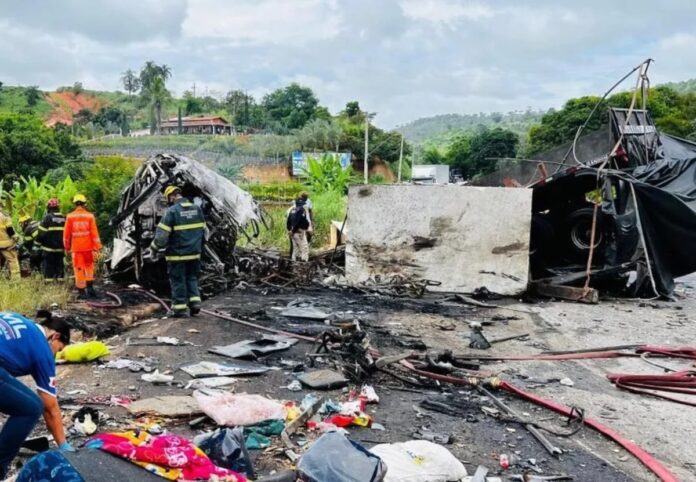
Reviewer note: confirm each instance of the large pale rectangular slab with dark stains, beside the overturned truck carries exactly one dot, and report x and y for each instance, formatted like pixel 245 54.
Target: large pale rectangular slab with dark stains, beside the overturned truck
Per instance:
pixel 463 237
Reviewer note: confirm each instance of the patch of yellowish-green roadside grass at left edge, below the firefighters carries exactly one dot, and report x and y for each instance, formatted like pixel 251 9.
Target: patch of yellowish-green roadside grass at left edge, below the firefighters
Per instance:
pixel 29 294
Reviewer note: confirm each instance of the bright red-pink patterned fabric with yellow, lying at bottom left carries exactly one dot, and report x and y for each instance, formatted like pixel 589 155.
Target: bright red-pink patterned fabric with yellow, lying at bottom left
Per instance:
pixel 168 451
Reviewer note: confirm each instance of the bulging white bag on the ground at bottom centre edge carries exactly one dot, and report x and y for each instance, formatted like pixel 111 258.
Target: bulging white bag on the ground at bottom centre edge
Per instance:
pixel 419 461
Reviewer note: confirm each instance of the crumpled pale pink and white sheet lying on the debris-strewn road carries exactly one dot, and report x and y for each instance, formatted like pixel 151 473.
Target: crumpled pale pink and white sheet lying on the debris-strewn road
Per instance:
pixel 231 410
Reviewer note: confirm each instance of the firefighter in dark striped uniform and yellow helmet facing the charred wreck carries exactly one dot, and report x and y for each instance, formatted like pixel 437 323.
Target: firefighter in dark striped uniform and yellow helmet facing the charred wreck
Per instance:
pixel 181 234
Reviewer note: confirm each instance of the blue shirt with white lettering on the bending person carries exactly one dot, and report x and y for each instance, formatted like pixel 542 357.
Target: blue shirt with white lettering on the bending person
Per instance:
pixel 24 350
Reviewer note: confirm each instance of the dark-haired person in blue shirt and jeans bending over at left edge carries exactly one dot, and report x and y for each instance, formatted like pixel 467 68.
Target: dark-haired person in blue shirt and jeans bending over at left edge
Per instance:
pixel 29 348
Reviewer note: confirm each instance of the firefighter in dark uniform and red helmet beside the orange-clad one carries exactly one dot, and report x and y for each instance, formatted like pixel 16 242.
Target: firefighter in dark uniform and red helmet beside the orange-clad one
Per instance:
pixel 51 239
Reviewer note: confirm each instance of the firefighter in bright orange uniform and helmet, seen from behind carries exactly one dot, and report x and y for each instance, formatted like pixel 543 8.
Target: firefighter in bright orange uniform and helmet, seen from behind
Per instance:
pixel 81 239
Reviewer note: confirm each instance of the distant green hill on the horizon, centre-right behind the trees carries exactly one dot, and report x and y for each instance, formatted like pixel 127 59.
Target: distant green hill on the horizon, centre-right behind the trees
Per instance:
pixel 440 129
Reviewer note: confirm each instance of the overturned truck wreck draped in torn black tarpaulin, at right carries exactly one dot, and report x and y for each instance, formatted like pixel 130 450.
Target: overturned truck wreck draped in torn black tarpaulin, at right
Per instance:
pixel 624 223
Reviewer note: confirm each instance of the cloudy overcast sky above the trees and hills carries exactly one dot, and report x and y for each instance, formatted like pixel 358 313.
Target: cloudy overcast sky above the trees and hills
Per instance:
pixel 403 59
